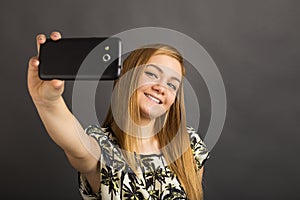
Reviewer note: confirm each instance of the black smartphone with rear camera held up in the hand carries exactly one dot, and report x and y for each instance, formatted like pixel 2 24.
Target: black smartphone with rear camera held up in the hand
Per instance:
pixel 81 59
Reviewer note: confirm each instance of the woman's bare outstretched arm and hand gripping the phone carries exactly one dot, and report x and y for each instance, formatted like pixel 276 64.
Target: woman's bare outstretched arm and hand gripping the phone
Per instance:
pixel 82 150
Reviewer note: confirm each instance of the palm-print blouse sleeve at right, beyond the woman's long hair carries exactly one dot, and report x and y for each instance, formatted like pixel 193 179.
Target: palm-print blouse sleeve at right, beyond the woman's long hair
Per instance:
pixel 199 149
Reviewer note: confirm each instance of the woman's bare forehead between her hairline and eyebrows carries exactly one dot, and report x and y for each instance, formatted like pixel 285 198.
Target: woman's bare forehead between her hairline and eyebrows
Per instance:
pixel 167 62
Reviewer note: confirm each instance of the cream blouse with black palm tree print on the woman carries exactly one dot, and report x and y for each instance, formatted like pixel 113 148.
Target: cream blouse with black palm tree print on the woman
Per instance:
pixel 118 181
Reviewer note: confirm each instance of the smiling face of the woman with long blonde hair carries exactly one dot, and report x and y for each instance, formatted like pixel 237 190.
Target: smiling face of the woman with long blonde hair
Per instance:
pixel 158 85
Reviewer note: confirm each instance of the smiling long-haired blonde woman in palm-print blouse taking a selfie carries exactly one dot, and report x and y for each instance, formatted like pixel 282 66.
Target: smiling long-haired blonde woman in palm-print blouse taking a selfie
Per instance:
pixel 145 149
